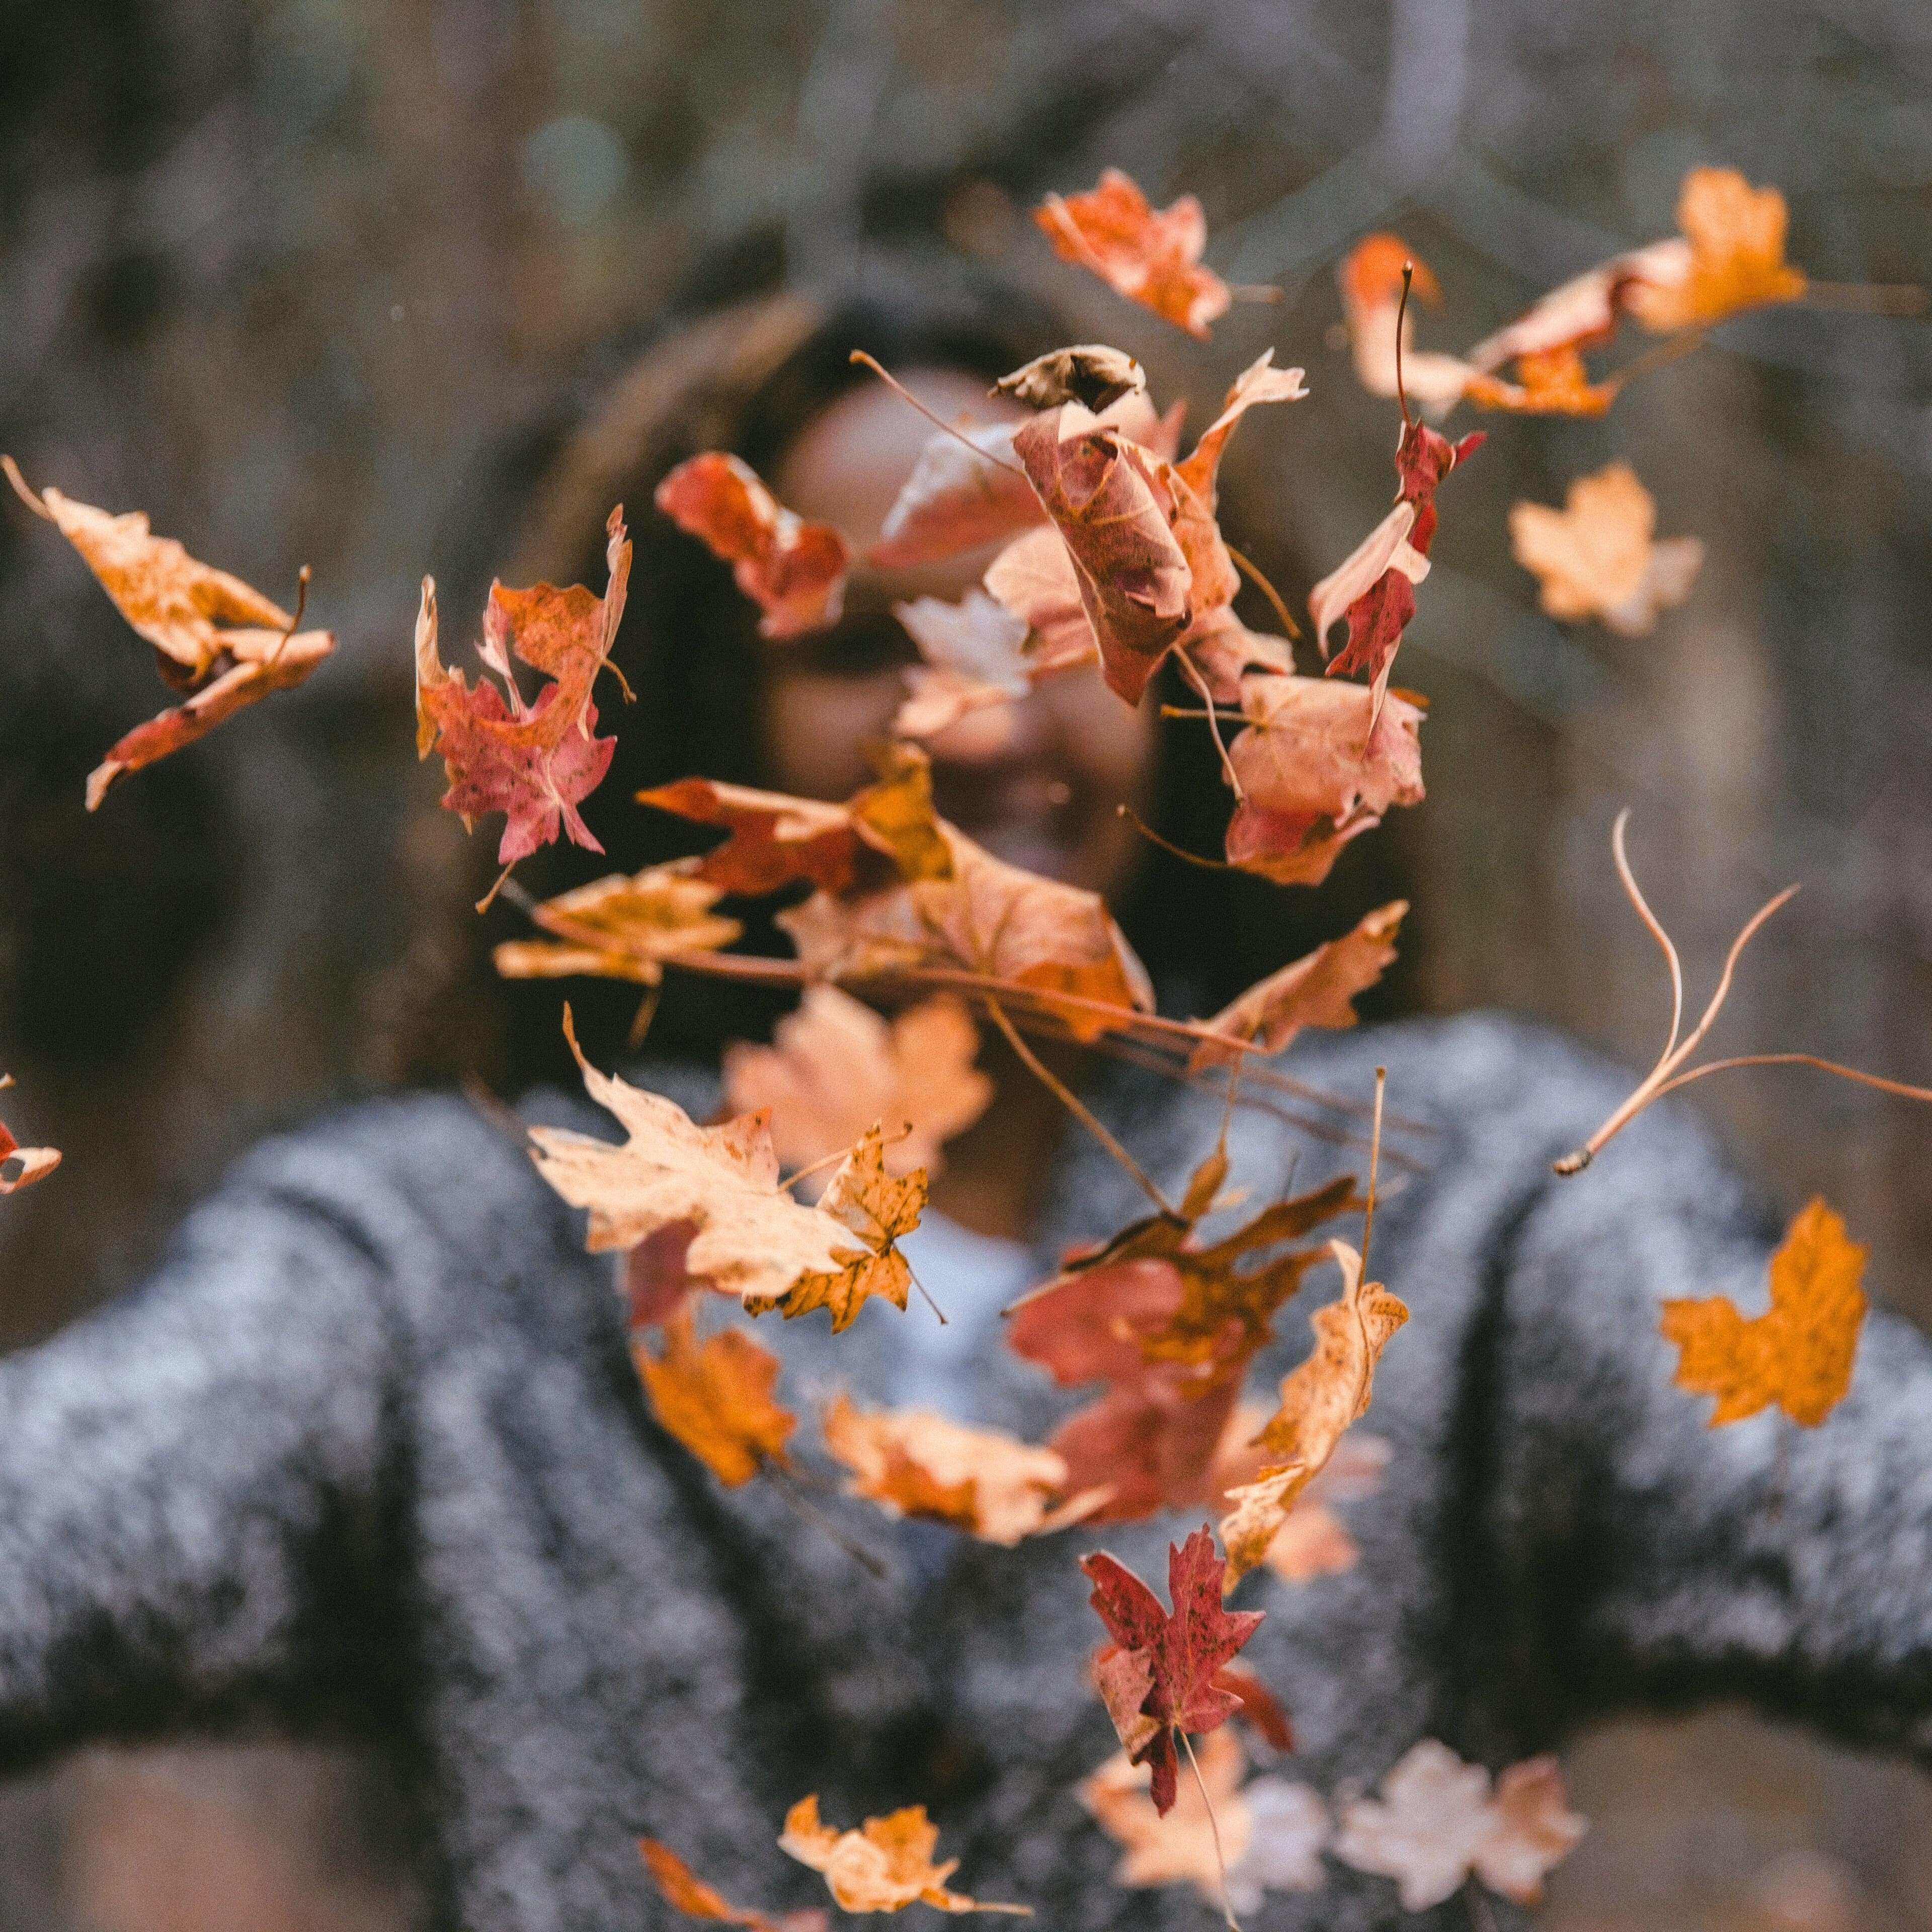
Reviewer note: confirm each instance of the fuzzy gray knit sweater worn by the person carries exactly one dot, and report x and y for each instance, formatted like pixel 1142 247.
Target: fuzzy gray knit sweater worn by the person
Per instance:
pixel 370 1456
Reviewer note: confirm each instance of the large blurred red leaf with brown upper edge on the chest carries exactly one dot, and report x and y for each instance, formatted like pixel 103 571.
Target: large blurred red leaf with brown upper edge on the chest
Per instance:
pixel 1172 1328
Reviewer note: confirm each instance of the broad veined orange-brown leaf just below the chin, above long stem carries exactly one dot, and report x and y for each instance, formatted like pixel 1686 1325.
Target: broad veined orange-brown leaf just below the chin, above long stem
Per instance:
pixel 990 919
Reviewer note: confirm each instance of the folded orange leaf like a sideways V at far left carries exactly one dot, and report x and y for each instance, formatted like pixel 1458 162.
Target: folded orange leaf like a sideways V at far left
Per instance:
pixel 215 637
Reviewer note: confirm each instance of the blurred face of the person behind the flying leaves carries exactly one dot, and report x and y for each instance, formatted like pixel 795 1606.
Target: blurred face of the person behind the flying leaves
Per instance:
pixel 1035 781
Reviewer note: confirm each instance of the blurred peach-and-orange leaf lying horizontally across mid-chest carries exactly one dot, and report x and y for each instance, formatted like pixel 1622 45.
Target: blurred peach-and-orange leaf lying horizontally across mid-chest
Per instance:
pixel 924 1465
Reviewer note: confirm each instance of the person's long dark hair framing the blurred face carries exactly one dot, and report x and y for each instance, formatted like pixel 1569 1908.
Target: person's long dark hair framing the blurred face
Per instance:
pixel 749 380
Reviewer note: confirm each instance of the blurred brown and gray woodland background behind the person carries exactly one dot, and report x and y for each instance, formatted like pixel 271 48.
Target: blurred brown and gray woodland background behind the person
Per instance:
pixel 320 281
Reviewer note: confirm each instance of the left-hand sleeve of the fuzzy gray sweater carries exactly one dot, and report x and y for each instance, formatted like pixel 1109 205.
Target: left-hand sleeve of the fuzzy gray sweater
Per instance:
pixel 196 1498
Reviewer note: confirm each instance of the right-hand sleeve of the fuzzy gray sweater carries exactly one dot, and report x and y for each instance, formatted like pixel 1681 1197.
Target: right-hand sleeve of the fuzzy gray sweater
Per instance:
pixel 1618 1550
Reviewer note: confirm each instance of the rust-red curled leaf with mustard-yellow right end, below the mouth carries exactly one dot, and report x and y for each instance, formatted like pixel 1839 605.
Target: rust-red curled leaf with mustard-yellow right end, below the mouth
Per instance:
pixel 880 832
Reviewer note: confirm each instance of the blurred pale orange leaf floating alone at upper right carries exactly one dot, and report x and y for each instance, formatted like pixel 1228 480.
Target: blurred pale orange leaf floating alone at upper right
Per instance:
pixel 1597 557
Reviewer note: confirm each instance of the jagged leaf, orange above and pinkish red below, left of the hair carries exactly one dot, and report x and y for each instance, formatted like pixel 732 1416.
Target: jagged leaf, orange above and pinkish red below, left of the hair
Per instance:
pixel 536 764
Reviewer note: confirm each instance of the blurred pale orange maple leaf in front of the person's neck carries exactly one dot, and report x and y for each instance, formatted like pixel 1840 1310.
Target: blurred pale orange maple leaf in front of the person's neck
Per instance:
pixel 836 1067
